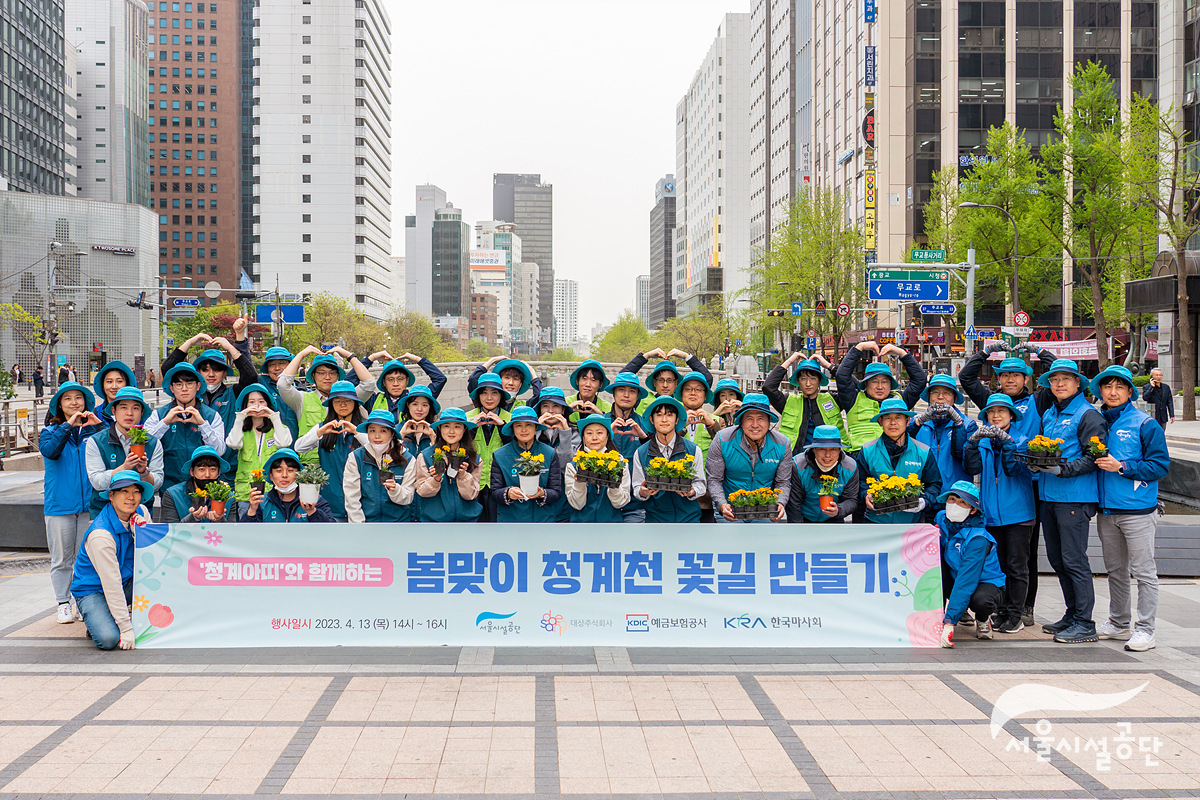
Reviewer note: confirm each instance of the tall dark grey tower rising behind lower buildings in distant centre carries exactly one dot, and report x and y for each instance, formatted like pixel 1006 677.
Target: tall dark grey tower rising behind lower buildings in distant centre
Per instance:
pixel 527 202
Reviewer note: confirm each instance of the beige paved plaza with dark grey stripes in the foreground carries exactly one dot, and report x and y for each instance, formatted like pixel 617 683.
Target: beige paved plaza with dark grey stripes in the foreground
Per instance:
pixel 593 723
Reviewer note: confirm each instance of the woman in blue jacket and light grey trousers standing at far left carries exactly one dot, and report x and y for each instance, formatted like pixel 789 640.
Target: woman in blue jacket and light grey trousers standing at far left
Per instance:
pixel 63 443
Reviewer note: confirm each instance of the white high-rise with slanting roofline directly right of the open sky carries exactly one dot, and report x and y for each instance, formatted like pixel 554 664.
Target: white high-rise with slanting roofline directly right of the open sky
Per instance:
pixel 712 242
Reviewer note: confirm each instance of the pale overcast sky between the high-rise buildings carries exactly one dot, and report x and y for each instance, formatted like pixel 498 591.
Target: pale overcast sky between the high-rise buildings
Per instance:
pixel 583 93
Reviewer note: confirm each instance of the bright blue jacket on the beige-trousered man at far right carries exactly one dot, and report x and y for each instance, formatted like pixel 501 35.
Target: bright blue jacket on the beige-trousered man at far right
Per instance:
pixel 1138 442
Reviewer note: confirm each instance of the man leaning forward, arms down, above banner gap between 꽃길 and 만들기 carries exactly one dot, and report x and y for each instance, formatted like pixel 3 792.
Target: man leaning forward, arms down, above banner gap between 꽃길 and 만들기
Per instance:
pixel 749 456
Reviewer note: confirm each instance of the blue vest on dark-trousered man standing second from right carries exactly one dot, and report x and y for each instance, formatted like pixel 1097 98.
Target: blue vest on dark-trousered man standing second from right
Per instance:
pixel 1076 423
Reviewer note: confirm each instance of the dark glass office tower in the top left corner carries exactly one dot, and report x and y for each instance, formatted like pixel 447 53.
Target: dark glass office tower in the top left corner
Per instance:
pixel 32 106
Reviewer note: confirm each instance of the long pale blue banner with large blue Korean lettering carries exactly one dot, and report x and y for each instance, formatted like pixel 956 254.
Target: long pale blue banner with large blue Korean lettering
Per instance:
pixel 776 585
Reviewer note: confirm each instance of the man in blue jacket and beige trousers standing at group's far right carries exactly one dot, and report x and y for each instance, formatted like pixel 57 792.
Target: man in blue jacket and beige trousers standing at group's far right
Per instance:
pixel 1130 472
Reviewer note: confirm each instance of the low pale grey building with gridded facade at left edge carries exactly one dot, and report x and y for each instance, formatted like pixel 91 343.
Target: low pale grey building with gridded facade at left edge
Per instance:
pixel 101 245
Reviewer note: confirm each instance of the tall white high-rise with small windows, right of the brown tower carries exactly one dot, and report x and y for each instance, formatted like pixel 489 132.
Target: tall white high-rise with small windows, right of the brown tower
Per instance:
pixel 322 151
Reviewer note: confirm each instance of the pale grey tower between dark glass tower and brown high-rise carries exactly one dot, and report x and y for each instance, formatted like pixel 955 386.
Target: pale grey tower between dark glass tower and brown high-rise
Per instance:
pixel 110 39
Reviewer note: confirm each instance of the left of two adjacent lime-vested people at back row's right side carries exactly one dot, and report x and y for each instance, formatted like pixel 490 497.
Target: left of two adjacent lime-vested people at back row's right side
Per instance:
pixel 802 413
